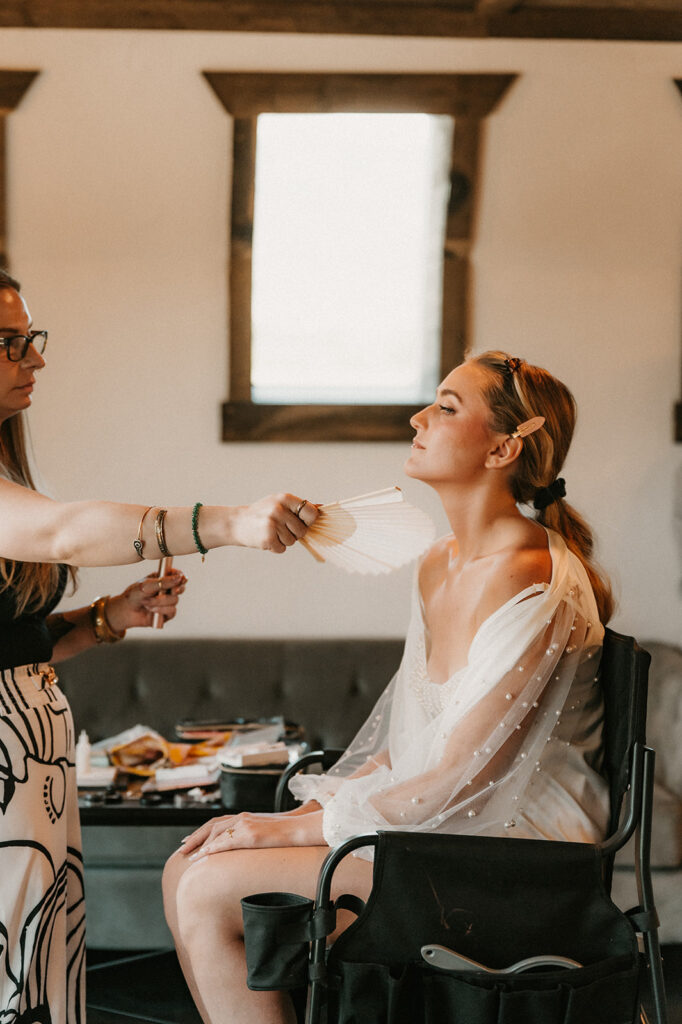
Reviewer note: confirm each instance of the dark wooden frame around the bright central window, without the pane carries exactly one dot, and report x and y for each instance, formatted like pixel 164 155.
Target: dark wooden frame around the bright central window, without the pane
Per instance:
pixel 466 98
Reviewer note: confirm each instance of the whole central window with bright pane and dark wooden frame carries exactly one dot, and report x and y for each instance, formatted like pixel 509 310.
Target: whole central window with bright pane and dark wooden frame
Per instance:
pixel 352 220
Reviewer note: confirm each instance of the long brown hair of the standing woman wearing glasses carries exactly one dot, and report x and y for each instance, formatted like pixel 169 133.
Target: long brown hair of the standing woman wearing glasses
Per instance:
pixel 33 584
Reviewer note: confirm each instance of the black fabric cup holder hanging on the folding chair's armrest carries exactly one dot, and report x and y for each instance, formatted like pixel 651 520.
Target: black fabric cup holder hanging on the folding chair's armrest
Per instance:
pixel 277 938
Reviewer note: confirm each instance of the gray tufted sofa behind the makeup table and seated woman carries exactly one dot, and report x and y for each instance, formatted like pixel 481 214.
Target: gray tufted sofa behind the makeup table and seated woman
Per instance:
pixel 330 688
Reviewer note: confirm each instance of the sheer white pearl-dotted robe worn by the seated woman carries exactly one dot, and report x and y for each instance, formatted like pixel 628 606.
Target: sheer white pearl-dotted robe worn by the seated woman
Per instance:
pixel 531 685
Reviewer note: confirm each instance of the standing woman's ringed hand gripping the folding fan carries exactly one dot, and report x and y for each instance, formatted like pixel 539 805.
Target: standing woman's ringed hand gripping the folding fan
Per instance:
pixel 274 524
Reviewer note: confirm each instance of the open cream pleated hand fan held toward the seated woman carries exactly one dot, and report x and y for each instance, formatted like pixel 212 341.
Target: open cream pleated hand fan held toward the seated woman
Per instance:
pixel 375 533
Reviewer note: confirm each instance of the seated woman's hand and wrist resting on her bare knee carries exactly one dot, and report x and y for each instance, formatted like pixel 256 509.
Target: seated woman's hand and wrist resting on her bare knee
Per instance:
pixel 254 832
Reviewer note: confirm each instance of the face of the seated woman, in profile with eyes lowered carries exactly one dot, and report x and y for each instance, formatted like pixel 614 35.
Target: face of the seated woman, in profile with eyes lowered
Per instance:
pixel 453 436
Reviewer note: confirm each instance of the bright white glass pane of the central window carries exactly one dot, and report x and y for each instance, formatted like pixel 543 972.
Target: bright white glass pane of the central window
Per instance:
pixel 348 258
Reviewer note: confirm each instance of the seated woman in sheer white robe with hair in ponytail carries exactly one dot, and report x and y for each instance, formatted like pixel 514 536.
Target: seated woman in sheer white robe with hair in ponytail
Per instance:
pixel 493 723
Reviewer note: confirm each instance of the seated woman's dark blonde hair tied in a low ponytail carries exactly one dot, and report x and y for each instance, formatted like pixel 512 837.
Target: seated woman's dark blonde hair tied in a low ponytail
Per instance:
pixel 518 392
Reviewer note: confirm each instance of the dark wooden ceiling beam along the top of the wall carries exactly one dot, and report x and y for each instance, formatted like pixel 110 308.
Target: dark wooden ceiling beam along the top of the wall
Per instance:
pixel 633 20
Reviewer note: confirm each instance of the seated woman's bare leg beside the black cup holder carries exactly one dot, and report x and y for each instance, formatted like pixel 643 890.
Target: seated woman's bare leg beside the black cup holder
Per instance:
pixel 204 913
